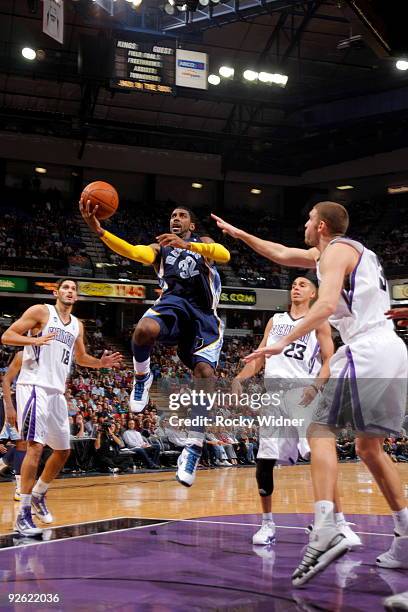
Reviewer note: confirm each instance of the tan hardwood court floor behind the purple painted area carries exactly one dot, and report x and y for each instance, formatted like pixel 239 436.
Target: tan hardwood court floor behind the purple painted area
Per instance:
pixel 224 491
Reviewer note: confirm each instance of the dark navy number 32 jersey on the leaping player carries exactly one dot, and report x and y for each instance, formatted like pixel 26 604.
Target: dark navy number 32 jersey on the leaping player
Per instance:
pixel 189 276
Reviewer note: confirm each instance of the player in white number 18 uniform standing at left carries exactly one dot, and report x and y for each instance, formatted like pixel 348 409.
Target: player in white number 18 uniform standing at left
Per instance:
pixel 52 339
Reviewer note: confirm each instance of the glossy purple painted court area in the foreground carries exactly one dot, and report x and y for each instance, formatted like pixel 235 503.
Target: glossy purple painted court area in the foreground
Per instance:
pixel 199 564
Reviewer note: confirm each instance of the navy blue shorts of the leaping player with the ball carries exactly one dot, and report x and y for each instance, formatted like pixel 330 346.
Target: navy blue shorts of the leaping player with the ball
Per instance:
pixel 198 334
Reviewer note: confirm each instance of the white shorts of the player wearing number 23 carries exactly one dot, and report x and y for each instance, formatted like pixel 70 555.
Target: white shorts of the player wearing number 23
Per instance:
pixel 277 438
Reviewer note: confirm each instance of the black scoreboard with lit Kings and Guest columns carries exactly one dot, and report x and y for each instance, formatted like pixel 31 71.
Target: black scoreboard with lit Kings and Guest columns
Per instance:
pixel 143 66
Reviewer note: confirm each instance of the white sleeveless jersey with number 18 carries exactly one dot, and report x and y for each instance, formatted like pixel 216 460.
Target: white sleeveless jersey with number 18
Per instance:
pixel 49 365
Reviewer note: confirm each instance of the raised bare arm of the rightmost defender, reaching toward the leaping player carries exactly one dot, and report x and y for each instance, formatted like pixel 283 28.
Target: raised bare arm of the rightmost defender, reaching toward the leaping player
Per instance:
pixel 280 254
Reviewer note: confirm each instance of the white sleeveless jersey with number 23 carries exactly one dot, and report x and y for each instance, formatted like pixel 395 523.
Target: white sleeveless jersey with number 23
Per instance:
pixel 300 359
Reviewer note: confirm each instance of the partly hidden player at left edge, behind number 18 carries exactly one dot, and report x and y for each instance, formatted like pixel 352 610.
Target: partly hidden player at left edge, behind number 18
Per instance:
pixel 10 417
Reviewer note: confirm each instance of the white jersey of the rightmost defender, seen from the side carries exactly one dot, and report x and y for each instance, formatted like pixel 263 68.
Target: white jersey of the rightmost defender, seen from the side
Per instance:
pixel 364 299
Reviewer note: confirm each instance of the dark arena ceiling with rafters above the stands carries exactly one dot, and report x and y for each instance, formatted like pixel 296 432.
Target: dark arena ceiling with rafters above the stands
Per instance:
pixel 344 98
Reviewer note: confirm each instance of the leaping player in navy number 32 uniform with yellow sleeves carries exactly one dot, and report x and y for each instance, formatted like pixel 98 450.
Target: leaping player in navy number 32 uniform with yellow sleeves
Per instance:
pixel 185 315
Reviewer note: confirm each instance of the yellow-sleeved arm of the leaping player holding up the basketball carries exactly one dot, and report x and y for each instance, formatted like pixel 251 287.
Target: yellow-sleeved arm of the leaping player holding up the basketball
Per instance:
pixel 145 254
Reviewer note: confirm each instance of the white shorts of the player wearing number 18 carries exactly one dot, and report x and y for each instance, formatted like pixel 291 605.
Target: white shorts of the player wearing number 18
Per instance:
pixel 42 416
